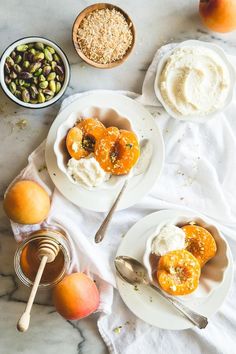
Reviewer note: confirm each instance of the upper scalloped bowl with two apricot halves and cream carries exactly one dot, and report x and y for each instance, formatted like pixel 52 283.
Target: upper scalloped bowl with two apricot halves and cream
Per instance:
pixel 96 147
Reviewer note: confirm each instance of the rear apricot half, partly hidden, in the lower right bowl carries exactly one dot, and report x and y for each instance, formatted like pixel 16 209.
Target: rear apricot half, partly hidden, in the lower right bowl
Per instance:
pixel 200 243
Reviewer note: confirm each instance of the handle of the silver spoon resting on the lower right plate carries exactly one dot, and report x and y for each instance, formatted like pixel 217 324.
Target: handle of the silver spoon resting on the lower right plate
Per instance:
pixel 197 319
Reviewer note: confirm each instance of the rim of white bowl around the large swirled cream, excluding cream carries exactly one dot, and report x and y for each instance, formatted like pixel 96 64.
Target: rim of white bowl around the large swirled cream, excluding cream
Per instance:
pixel 195 118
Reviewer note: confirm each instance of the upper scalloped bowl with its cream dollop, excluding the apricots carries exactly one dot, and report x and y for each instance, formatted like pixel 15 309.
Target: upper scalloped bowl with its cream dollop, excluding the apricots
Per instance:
pixel 87 172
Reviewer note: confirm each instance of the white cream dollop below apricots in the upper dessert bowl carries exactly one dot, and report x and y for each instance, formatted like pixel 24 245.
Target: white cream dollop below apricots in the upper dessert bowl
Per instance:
pixel 87 172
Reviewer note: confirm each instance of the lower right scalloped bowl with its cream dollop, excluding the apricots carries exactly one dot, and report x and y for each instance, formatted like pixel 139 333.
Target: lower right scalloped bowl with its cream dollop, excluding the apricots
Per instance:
pixel 169 236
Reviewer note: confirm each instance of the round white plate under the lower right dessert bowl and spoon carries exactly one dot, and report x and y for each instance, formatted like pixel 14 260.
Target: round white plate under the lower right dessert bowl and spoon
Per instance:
pixel 146 303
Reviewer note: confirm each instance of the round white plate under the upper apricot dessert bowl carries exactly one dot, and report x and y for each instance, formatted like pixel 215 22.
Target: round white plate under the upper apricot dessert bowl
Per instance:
pixel 142 123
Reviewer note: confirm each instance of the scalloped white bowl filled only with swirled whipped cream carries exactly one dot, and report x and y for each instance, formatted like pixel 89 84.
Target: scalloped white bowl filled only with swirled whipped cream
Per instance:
pixel 194 81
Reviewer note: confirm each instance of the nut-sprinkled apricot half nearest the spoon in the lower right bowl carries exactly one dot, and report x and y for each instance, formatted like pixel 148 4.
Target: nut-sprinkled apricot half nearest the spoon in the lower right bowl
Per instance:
pixel 178 272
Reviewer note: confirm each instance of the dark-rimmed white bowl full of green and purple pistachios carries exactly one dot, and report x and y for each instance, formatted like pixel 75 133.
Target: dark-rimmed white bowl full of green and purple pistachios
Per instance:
pixel 34 72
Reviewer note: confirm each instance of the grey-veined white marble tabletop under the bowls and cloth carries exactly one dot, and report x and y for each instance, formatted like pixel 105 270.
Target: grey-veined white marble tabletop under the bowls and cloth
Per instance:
pixel 157 22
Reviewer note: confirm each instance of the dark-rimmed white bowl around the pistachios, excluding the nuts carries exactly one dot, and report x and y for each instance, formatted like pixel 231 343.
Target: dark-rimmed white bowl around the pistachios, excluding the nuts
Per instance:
pixel 26 40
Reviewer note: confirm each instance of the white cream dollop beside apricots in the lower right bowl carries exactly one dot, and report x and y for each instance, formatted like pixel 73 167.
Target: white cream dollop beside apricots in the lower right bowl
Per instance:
pixel 170 238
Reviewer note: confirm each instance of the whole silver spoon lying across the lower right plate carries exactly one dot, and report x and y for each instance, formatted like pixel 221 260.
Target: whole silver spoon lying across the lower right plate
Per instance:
pixel 134 272
